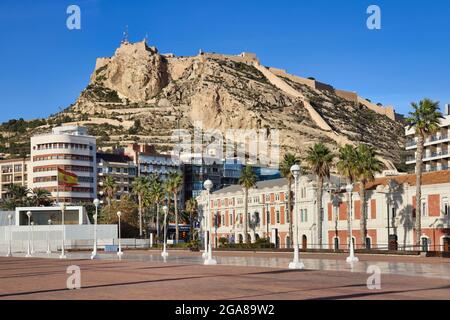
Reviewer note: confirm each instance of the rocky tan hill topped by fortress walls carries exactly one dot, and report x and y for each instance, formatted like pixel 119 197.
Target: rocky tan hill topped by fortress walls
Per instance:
pixel 141 95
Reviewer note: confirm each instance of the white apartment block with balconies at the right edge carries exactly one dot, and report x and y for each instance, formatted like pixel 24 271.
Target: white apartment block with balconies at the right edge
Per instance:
pixel 437 147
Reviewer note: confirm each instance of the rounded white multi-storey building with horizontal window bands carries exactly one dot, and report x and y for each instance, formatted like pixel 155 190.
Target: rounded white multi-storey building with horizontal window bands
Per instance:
pixel 71 149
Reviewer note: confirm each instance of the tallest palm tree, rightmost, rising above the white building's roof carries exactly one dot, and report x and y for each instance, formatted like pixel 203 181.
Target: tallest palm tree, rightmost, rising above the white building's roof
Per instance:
pixel 425 120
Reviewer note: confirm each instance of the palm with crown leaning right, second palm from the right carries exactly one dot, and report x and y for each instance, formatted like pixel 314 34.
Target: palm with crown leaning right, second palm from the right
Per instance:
pixel 367 165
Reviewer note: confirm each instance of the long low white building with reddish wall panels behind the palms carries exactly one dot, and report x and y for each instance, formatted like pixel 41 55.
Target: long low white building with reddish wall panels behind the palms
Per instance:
pixel 390 213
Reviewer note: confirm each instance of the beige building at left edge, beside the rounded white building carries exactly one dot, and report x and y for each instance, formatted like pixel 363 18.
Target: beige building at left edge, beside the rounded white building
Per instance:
pixel 13 171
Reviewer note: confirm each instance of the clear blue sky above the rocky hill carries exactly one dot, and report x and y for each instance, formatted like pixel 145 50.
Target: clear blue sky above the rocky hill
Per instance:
pixel 44 66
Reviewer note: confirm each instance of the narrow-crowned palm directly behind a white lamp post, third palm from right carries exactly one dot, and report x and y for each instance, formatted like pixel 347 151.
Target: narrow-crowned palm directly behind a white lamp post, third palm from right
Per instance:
pixel 347 168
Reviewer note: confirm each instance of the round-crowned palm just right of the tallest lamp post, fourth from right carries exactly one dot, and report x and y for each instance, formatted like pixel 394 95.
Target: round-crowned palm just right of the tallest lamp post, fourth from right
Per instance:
pixel 319 159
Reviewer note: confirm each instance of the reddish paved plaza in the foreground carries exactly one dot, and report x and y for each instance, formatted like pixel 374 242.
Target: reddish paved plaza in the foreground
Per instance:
pixel 239 276
